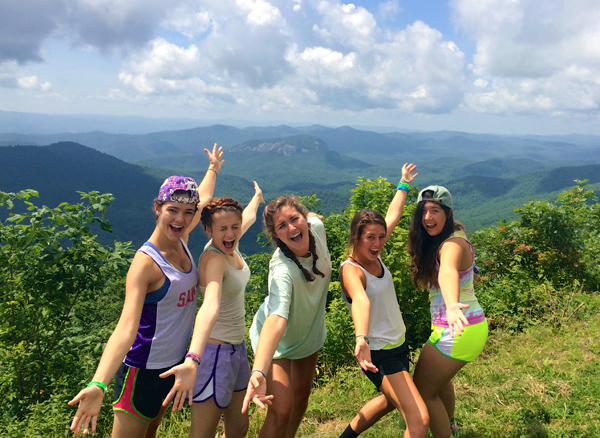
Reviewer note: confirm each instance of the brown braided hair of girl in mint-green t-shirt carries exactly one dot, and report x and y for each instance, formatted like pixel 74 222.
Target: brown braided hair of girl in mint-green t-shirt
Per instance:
pixel 270 210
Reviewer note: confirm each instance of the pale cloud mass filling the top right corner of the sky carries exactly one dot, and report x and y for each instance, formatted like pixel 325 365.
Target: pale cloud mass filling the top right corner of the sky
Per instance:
pixel 533 55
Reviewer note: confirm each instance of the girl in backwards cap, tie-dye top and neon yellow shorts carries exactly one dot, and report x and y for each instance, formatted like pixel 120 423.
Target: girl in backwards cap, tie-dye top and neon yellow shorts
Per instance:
pixel 442 261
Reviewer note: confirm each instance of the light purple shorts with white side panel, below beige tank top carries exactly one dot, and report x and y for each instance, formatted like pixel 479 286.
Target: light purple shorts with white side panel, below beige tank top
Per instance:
pixel 223 370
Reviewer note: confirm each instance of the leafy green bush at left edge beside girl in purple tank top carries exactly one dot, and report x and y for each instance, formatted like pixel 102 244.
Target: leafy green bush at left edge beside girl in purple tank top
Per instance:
pixel 57 296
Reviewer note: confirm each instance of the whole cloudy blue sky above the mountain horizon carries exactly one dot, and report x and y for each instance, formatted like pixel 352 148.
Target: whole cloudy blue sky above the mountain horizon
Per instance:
pixel 497 66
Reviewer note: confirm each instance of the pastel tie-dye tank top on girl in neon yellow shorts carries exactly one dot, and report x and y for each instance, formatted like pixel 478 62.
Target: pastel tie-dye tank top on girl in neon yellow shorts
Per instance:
pixel 474 314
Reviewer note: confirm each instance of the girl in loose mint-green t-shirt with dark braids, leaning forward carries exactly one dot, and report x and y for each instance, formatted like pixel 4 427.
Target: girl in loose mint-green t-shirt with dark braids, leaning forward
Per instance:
pixel 289 328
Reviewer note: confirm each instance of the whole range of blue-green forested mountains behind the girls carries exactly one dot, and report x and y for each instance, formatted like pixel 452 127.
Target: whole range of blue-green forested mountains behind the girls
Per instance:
pixel 487 174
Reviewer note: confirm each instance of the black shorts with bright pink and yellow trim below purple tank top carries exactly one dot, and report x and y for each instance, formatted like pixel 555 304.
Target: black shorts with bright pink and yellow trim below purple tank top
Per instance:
pixel 140 392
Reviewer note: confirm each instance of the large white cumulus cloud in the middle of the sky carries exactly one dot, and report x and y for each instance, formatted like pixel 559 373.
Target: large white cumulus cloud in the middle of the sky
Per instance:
pixel 332 56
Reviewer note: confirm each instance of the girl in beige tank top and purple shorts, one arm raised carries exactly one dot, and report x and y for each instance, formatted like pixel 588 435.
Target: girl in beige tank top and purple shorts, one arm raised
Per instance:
pixel 216 373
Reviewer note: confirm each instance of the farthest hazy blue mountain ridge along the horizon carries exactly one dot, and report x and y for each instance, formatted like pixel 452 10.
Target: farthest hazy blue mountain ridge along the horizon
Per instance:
pixel 367 146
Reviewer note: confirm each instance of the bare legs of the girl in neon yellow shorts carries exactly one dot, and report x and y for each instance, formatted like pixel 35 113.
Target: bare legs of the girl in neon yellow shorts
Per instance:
pixel 433 377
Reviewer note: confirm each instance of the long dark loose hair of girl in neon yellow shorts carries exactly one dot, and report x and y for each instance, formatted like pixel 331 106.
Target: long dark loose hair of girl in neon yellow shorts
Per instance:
pixel 423 248
